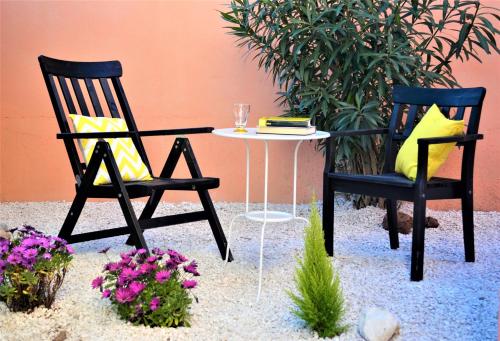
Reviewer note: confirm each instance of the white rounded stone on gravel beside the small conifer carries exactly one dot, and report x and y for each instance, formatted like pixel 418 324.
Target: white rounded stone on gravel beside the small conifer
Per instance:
pixel 376 324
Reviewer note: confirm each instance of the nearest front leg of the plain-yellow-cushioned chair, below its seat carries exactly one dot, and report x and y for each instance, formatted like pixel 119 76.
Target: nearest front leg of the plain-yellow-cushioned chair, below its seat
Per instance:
pixel 417 254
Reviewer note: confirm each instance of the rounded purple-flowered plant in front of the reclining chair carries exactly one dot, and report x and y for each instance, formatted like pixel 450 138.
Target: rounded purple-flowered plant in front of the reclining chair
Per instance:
pixel 149 289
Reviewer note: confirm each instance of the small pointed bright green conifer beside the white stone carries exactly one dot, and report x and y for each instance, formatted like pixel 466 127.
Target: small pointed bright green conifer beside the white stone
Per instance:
pixel 320 302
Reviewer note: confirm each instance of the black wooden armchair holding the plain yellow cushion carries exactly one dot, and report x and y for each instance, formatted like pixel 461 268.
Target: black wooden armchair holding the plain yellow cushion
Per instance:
pixel 408 102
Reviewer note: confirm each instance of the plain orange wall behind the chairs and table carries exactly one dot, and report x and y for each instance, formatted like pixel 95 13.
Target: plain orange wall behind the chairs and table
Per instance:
pixel 181 69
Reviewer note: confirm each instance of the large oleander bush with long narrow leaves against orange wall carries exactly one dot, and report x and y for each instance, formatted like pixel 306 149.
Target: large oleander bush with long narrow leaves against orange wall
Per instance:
pixel 337 60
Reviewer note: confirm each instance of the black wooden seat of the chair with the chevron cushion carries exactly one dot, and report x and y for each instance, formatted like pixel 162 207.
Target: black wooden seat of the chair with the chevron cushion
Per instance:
pixel 144 188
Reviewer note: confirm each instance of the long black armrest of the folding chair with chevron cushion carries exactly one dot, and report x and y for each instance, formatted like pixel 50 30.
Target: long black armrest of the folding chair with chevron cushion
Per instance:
pixel 124 134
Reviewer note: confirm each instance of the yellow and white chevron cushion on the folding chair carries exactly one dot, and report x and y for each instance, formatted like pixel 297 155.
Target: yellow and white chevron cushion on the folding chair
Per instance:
pixel 129 162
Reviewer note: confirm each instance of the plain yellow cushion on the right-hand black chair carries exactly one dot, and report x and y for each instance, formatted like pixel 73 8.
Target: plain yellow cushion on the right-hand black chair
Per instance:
pixel 433 124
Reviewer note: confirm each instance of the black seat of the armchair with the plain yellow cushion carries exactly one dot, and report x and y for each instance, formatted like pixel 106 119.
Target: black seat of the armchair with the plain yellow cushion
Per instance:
pixel 390 179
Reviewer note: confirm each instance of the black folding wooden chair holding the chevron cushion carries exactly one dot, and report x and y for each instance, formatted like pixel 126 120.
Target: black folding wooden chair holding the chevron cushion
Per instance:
pixel 105 73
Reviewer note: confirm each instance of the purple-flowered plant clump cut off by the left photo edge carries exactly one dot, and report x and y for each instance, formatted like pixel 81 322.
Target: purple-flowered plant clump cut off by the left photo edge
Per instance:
pixel 32 268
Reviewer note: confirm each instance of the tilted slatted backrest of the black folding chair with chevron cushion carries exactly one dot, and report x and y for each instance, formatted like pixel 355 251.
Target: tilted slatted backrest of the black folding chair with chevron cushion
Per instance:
pixel 82 85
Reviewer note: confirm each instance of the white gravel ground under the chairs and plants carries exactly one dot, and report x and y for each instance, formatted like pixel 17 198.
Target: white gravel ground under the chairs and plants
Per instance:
pixel 455 301
